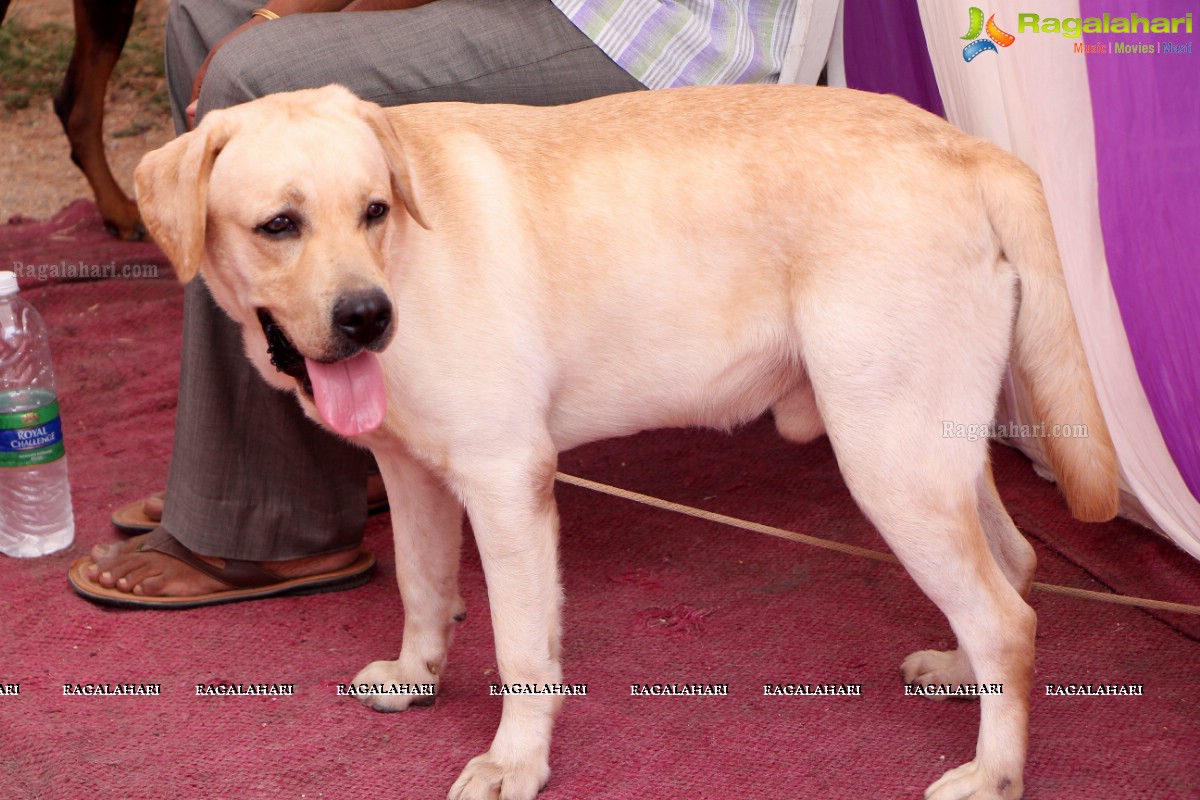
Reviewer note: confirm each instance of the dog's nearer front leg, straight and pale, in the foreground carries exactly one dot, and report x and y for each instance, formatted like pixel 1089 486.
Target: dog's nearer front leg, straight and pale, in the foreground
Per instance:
pixel 515 522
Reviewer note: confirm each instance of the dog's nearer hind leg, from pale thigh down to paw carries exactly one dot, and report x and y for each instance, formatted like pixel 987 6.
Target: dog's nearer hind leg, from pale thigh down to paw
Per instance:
pixel 890 369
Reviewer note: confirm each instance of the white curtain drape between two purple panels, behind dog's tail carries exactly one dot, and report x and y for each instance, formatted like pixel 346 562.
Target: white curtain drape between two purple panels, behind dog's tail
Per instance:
pixel 1034 100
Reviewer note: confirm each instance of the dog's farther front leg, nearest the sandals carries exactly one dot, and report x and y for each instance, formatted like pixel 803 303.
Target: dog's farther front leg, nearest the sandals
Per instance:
pixel 428 530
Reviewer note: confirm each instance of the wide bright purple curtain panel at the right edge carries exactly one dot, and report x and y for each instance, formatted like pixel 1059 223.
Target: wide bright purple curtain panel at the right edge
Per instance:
pixel 1147 111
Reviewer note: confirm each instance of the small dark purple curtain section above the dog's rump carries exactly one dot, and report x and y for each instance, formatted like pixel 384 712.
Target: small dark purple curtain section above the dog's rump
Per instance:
pixel 885 46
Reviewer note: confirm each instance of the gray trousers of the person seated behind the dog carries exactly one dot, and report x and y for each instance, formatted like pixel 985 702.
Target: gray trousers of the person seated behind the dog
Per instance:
pixel 251 477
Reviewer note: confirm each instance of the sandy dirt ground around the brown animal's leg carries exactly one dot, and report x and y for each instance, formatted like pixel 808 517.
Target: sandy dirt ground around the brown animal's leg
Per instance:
pixel 37 176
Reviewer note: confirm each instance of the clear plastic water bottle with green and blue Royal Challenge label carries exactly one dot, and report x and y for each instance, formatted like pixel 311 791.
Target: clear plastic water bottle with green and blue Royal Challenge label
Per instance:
pixel 35 497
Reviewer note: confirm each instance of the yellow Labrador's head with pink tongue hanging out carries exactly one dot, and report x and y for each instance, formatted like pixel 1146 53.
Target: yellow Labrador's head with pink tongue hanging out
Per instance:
pixel 287 206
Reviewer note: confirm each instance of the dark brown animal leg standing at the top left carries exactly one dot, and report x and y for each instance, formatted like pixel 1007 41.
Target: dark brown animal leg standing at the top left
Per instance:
pixel 101 29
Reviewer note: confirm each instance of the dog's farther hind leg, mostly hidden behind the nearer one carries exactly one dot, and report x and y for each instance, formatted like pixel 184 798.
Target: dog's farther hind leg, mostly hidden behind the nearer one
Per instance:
pixel 1016 558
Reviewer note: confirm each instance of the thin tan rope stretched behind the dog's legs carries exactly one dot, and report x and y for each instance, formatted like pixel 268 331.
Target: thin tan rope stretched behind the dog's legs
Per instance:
pixel 850 550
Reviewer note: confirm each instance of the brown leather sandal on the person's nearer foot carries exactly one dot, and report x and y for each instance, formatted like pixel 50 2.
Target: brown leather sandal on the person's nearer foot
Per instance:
pixel 247 580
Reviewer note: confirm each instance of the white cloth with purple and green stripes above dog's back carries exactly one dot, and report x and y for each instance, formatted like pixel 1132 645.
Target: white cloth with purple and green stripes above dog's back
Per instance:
pixel 688 43
